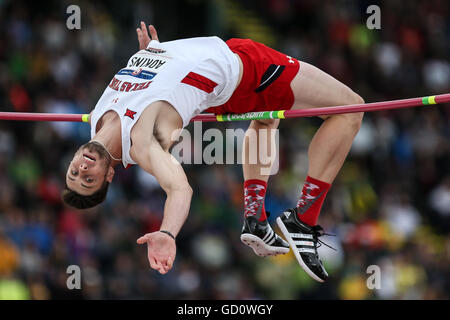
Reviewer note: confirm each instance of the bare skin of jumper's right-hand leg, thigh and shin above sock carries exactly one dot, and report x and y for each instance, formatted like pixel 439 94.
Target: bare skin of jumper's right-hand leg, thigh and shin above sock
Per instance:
pixel 329 147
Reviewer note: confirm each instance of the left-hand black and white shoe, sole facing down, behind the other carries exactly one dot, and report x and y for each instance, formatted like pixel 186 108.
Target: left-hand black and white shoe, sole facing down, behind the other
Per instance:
pixel 259 236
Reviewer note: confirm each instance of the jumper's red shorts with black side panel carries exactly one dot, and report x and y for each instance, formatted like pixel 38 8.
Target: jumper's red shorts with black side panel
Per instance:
pixel 266 79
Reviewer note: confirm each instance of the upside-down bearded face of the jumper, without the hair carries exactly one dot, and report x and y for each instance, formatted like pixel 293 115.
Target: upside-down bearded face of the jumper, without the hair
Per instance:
pixel 89 168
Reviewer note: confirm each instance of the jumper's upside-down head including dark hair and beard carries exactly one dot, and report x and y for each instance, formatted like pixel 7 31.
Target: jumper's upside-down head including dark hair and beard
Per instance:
pixel 88 176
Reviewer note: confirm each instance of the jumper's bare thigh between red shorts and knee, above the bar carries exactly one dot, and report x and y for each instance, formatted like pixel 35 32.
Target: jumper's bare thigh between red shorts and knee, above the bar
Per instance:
pixel 313 88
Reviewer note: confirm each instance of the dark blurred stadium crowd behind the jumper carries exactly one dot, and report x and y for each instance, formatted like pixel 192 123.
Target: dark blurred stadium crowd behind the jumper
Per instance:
pixel 389 206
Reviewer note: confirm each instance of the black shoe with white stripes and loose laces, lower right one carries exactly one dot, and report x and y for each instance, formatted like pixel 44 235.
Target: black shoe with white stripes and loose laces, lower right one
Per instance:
pixel 304 241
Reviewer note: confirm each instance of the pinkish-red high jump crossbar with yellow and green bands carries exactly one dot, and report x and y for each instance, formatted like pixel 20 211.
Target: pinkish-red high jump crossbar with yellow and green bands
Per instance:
pixel 280 114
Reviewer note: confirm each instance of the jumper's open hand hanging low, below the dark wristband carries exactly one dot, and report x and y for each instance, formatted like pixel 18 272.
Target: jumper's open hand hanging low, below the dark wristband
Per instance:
pixel 161 250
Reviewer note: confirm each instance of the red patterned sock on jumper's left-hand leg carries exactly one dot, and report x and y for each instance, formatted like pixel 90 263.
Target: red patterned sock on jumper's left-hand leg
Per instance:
pixel 254 194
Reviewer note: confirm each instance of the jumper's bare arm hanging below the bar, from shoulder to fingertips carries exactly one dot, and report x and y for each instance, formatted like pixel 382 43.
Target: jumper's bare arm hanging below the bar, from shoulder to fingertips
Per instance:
pixel 171 177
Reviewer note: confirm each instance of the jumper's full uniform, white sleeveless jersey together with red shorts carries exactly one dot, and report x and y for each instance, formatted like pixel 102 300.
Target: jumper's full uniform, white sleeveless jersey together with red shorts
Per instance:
pixel 195 75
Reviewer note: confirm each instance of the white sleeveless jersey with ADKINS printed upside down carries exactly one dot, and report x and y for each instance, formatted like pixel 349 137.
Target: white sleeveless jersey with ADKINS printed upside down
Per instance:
pixel 190 74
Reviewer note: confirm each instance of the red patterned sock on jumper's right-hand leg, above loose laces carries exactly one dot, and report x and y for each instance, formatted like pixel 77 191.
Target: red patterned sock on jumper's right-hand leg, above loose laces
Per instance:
pixel 310 202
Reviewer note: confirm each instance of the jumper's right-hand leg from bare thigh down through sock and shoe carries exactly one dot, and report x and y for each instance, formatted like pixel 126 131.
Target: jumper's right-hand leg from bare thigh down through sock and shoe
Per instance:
pixel 328 149
